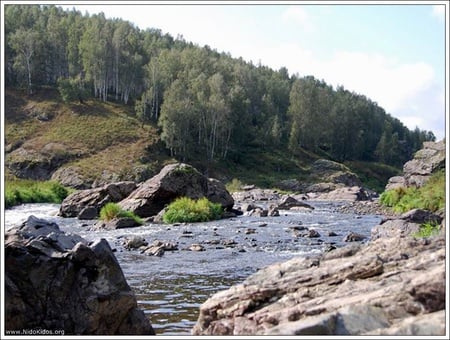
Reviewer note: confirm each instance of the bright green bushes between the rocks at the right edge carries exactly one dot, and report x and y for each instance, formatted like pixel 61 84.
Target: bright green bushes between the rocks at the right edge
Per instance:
pixel 430 197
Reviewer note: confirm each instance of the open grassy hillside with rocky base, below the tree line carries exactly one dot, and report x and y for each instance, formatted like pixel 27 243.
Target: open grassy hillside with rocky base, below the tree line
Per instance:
pixel 87 144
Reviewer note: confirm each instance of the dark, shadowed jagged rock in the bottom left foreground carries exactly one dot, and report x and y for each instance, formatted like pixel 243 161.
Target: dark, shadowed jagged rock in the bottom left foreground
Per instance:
pixel 56 281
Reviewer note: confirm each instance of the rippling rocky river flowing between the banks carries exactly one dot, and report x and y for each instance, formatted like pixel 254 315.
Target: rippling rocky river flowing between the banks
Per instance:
pixel 171 288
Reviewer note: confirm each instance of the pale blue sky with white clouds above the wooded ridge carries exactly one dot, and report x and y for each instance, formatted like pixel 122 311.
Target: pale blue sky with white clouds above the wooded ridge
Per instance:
pixel 394 54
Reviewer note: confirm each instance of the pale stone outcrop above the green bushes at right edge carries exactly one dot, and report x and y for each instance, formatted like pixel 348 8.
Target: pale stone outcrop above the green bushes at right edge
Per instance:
pixel 417 171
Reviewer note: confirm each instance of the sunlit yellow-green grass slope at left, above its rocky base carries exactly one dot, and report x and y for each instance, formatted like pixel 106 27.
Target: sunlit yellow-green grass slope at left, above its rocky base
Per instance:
pixel 105 136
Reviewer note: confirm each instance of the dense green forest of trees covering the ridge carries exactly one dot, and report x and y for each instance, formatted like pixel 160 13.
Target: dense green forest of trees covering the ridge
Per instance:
pixel 208 105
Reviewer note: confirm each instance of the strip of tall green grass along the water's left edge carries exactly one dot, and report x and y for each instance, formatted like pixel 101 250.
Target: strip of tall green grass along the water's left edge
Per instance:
pixel 28 191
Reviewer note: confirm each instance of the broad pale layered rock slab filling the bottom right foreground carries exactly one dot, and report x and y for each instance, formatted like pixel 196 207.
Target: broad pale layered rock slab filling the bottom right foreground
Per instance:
pixel 391 286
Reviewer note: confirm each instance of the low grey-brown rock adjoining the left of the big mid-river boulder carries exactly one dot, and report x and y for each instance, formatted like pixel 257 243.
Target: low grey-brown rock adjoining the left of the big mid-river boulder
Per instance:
pixel 86 204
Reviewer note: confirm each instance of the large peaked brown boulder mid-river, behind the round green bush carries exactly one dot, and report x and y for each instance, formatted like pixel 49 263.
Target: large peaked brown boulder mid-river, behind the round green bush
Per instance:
pixel 173 181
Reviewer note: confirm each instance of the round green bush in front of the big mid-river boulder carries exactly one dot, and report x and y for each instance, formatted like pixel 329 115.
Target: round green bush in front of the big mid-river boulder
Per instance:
pixel 185 209
